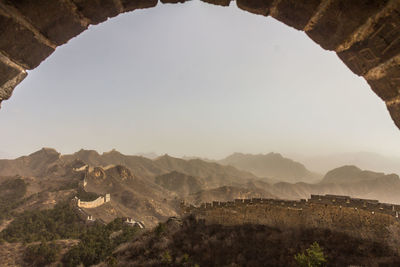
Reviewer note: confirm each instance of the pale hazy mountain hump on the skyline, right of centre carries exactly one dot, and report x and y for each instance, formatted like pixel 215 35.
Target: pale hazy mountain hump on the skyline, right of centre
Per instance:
pixel 272 165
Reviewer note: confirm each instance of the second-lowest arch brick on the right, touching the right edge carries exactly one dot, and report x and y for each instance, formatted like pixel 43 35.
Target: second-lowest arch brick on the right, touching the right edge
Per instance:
pixel 388 86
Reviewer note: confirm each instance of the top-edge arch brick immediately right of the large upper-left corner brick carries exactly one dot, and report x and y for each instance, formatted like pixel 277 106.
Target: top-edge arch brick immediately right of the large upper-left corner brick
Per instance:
pixel 97 10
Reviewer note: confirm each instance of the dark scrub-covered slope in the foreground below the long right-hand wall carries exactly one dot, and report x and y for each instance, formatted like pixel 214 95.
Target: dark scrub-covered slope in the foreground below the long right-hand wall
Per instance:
pixel 191 243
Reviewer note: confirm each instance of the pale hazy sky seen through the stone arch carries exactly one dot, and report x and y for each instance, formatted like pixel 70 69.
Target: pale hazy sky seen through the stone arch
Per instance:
pixel 195 79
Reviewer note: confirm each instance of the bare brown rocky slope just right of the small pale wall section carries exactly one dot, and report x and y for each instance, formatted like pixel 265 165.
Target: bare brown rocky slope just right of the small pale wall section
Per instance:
pixel 131 196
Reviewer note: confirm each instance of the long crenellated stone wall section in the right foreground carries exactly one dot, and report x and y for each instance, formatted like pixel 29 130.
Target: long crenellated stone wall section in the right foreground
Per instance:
pixel 363 218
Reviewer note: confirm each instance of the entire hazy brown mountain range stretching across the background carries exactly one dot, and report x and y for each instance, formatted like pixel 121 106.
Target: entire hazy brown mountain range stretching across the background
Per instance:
pixel 151 190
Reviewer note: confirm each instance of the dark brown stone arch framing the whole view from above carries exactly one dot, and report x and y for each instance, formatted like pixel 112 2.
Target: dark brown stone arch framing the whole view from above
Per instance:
pixel 365 34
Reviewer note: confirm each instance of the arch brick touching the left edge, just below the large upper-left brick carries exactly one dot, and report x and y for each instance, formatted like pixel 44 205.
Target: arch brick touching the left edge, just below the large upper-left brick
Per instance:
pixel 20 44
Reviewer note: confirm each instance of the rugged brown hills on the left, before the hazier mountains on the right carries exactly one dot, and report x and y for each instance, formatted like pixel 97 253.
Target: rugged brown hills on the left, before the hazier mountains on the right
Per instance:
pixel 144 189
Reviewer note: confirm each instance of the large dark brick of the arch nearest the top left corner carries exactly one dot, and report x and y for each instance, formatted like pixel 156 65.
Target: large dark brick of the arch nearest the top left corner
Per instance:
pixel 54 18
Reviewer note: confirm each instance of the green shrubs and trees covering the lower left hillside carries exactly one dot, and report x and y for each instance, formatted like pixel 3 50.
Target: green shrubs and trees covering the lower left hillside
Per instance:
pixel 96 241
